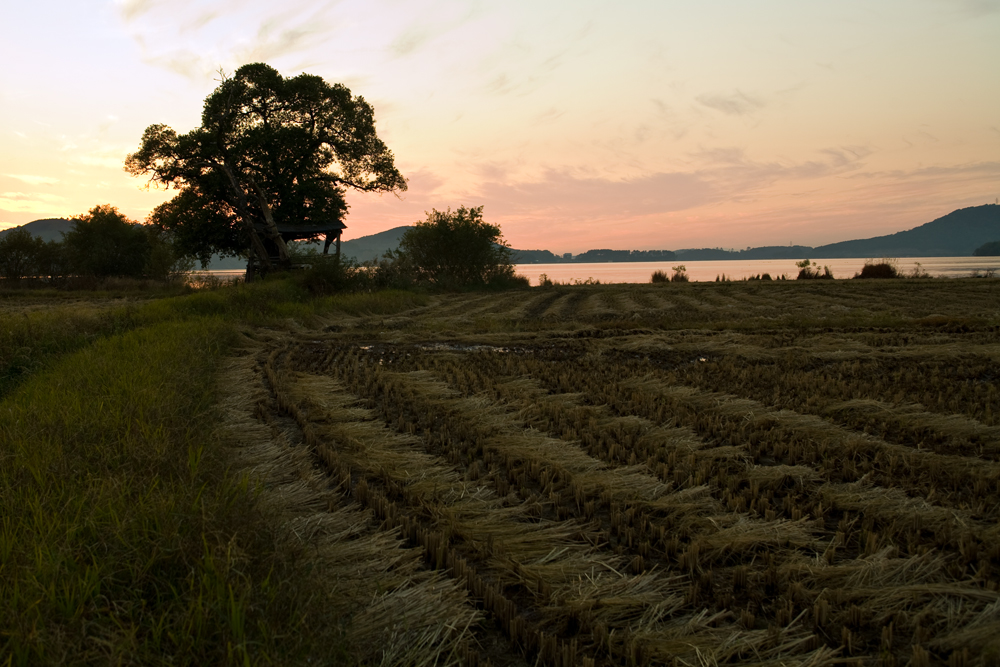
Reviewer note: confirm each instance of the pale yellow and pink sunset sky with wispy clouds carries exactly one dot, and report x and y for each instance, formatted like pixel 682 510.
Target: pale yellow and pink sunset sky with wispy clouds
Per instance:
pixel 578 125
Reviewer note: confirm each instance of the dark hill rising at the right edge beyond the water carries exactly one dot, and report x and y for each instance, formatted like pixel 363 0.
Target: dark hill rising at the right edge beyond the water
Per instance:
pixel 957 234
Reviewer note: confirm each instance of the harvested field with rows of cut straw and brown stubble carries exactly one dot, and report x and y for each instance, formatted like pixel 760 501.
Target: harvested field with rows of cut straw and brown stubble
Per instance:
pixel 699 474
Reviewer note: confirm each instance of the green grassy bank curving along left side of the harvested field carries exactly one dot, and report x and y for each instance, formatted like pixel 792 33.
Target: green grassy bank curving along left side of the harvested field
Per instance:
pixel 125 536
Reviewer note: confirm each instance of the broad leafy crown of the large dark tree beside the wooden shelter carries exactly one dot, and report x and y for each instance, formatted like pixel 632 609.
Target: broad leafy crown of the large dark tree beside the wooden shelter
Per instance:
pixel 270 150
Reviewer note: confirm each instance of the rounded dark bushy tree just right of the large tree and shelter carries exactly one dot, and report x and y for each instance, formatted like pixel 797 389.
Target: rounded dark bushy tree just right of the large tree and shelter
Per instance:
pixel 456 249
